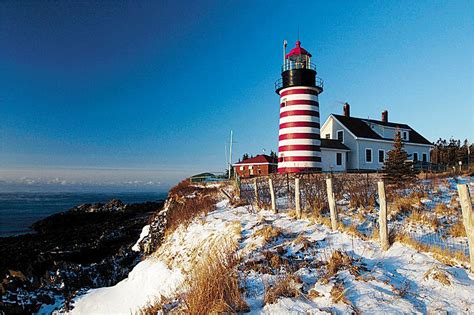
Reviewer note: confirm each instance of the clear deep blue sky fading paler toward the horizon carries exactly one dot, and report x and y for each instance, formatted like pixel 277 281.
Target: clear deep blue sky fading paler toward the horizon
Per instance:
pixel 142 94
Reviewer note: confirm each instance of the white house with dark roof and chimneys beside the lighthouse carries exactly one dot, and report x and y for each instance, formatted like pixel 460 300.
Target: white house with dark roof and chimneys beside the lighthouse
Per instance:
pixel 367 142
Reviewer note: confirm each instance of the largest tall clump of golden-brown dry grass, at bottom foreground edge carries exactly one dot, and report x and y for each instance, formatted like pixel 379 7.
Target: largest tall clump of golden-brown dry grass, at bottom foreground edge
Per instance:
pixel 213 284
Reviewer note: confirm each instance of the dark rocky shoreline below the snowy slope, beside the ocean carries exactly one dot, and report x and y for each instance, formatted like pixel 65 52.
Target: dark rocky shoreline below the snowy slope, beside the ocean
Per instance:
pixel 88 246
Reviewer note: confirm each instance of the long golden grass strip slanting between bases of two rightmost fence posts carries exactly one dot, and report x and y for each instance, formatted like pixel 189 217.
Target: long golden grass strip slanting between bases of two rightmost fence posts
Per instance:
pixel 444 255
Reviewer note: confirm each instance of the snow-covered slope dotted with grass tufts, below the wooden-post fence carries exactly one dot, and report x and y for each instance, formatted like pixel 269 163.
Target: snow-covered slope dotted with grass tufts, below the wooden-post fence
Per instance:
pixel 400 280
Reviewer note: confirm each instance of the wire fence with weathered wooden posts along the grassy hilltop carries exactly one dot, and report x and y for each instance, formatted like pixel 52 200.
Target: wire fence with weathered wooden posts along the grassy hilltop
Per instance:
pixel 322 194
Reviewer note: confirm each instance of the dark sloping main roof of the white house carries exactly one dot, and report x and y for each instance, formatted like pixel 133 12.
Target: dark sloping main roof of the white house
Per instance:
pixel 360 128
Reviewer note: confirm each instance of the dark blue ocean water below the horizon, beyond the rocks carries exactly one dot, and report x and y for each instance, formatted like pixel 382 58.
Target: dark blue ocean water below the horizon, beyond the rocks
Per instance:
pixel 18 211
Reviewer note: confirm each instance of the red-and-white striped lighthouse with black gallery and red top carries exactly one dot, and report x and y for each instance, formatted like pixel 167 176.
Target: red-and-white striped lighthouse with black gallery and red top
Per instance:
pixel 299 140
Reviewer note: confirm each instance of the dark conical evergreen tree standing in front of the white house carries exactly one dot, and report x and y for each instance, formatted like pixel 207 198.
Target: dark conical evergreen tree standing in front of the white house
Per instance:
pixel 396 167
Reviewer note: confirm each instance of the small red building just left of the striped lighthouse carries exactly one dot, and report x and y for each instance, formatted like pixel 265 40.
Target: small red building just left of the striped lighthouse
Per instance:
pixel 256 166
